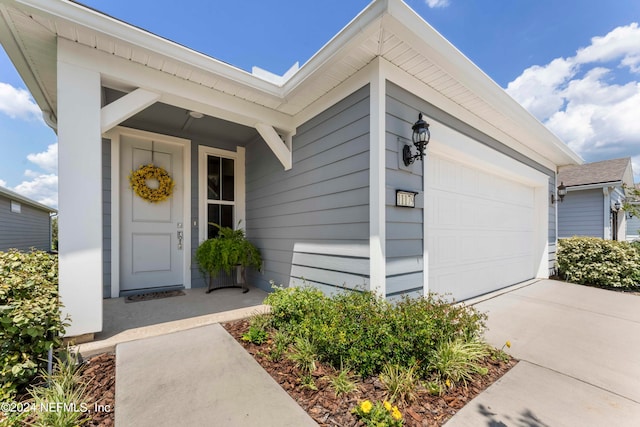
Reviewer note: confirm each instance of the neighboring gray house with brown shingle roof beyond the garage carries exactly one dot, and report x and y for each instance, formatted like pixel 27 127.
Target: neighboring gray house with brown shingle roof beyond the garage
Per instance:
pixel 595 195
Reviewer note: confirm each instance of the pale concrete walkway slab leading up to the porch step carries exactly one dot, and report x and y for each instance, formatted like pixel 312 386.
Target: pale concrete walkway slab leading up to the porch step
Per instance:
pixel 198 377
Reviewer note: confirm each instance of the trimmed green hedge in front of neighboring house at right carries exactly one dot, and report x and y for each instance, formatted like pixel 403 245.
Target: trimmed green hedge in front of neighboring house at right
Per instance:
pixel 599 262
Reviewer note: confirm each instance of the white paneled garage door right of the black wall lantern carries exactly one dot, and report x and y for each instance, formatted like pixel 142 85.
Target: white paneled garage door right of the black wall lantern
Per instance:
pixel 480 229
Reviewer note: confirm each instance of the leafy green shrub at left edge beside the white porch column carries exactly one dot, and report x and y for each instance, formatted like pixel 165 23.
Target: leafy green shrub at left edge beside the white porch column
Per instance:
pixel 30 321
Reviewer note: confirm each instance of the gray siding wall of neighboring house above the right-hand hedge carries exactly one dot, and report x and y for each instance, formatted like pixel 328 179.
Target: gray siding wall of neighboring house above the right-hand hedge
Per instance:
pixel 581 214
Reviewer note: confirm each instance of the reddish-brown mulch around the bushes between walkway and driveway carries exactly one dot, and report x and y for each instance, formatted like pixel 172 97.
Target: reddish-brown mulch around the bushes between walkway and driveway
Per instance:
pixel 330 411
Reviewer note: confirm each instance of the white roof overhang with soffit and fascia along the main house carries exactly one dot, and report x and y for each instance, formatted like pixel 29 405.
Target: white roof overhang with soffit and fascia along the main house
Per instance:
pixel 386 29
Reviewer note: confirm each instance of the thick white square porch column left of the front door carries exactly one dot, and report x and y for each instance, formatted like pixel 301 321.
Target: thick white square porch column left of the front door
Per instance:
pixel 79 194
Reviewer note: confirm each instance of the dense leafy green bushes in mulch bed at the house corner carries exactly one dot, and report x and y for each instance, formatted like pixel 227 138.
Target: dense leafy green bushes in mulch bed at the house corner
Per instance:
pixel 362 331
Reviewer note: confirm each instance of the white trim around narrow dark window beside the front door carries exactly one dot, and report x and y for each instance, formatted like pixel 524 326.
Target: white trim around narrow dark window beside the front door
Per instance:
pixel 239 191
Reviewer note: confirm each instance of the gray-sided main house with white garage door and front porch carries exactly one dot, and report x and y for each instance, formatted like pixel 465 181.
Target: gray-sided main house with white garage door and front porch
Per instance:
pixel 312 161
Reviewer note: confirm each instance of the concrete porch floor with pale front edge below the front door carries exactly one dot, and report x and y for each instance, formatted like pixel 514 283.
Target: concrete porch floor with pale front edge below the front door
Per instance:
pixel 128 321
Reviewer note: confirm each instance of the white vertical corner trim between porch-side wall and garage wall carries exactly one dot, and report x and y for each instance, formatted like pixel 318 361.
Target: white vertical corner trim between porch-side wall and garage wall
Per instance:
pixel 377 183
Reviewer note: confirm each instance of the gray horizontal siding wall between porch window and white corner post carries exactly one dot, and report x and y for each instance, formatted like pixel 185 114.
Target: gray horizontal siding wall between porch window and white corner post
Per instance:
pixel 311 223
